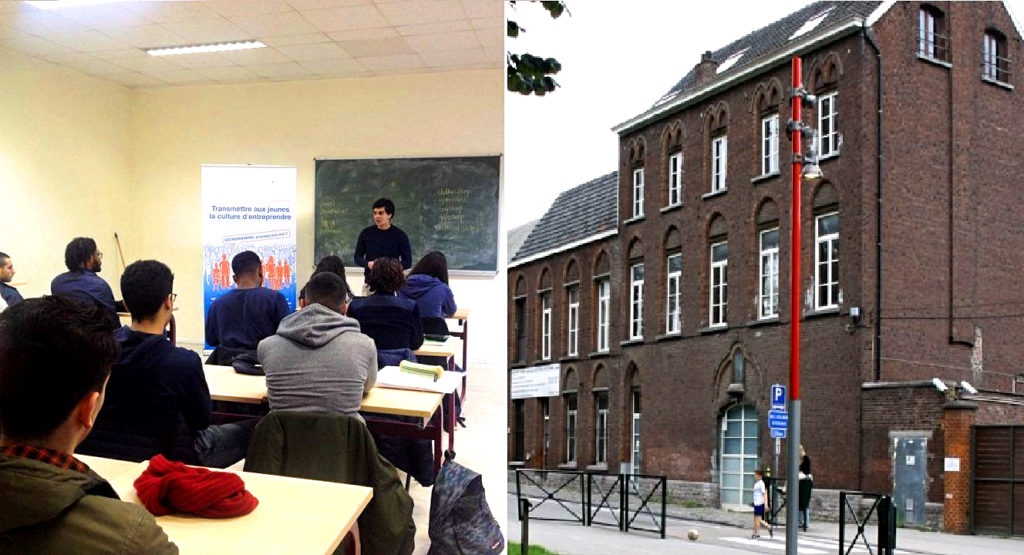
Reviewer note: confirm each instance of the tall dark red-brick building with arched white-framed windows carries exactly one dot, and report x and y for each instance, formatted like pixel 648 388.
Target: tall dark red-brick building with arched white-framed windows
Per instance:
pixel 661 290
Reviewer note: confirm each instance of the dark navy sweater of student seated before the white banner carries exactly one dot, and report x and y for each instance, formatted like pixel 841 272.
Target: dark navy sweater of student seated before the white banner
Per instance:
pixel 242 318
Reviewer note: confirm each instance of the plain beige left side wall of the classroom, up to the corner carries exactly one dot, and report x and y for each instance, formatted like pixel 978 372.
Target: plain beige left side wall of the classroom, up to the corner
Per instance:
pixel 65 163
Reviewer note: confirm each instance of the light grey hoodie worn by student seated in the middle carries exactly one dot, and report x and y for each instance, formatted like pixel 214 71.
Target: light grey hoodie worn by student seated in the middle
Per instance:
pixel 319 361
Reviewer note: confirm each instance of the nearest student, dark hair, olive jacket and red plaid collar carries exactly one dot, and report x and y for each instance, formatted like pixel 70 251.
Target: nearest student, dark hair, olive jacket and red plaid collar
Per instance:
pixel 56 355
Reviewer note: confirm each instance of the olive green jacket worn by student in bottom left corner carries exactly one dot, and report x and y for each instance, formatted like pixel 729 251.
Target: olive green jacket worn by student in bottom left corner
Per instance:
pixel 47 509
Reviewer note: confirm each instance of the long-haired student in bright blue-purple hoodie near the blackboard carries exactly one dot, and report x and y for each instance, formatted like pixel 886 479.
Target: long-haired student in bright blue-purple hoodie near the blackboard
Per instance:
pixel 428 286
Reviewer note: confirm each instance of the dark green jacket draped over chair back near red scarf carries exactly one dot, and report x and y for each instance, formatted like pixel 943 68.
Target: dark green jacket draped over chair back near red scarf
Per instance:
pixel 337 448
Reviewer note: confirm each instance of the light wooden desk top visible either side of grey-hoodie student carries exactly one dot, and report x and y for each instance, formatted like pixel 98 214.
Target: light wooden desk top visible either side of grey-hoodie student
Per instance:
pixel 226 385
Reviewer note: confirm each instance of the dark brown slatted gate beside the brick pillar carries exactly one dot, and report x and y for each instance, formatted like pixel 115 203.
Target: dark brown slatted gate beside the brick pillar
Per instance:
pixel 998 501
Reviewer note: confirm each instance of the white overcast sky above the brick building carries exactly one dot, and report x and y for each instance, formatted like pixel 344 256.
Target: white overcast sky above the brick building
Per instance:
pixel 618 59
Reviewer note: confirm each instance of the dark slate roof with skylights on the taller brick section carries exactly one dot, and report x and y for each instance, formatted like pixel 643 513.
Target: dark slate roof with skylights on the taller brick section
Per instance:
pixel 773 38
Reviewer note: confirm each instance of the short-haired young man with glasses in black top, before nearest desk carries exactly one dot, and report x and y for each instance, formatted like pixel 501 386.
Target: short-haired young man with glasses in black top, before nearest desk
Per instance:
pixel 158 399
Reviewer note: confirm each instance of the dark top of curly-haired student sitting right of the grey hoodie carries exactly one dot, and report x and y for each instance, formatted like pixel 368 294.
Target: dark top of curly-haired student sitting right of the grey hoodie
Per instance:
pixel 394 323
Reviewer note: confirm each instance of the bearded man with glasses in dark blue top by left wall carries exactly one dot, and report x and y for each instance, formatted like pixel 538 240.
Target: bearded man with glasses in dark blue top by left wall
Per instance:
pixel 81 281
